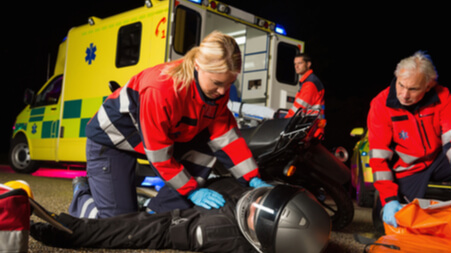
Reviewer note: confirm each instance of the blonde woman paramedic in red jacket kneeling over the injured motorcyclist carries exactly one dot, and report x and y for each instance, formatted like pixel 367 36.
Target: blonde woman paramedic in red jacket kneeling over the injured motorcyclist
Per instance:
pixel 176 114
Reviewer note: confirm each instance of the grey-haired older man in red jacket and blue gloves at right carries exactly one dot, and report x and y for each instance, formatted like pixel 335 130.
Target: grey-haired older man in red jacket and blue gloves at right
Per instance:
pixel 409 134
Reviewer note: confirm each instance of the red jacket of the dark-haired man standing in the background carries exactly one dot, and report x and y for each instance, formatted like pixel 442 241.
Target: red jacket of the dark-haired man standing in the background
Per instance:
pixel 310 96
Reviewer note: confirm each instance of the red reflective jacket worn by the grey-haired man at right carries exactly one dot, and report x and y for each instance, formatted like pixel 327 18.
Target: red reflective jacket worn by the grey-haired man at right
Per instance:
pixel 404 140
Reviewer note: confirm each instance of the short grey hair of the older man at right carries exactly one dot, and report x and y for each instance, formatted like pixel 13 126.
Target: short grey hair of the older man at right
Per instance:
pixel 418 62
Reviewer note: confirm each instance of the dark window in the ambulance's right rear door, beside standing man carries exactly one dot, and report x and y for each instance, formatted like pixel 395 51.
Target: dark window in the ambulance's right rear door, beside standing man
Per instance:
pixel 285 72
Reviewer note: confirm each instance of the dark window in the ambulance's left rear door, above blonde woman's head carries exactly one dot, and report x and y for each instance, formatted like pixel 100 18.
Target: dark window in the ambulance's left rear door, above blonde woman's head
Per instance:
pixel 187 30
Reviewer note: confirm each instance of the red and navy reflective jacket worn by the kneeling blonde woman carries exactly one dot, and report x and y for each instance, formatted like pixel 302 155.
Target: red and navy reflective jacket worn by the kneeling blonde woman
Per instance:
pixel 149 115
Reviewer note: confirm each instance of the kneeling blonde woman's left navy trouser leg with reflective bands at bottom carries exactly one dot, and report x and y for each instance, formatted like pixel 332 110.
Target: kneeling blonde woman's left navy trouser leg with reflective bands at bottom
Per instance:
pixel 111 179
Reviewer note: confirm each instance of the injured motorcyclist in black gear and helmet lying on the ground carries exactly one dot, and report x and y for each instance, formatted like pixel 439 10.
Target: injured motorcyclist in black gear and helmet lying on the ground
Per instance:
pixel 268 219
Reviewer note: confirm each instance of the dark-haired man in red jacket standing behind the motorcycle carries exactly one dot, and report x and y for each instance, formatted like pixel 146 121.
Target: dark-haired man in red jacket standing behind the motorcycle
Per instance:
pixel 311 94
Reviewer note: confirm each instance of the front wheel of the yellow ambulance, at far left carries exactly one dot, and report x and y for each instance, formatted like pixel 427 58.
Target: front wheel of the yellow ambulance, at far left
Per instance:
pixel 19 156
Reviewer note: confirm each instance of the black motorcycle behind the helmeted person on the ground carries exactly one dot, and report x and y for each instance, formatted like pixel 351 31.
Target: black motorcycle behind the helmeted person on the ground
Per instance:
pixel 288 151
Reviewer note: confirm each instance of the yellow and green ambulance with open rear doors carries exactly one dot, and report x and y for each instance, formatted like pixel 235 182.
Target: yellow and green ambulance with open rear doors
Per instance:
pixel 51 128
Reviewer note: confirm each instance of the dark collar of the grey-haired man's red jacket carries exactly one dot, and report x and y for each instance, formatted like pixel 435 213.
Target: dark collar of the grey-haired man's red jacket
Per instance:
pixel 429 98
